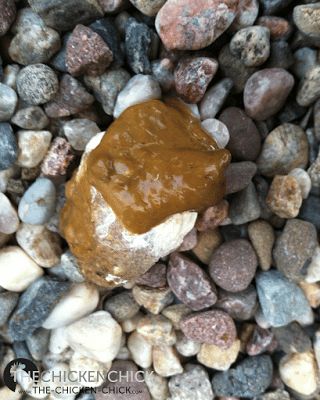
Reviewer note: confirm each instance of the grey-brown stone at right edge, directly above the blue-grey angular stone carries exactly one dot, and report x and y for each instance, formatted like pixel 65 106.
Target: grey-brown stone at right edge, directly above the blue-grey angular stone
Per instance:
pixel 294 248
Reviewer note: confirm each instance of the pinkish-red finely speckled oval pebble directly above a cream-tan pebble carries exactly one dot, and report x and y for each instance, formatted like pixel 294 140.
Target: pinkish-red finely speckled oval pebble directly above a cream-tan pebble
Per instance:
pixel 212 327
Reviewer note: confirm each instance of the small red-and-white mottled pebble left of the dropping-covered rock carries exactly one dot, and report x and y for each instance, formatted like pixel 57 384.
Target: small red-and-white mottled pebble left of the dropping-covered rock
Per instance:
pixel 57 159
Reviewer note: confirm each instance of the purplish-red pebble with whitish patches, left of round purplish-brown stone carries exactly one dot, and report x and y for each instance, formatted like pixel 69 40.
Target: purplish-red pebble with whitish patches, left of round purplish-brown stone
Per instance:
pixel 190 283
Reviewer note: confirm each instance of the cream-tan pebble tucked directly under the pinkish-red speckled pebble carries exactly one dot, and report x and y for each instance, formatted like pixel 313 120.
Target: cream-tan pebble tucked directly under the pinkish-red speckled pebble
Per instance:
pixel 215 357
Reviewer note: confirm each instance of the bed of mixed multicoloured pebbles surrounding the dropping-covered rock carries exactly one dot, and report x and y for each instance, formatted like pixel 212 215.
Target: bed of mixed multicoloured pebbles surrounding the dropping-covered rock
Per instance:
pixel 234 313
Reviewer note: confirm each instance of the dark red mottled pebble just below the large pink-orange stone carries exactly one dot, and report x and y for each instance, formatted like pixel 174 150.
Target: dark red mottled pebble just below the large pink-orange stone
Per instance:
pixel 192 77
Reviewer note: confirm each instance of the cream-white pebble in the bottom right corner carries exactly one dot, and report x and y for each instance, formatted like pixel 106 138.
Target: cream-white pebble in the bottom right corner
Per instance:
pixel 299 372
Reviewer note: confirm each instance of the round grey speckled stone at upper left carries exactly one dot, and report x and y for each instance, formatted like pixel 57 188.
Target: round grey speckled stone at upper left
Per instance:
pixel 37 84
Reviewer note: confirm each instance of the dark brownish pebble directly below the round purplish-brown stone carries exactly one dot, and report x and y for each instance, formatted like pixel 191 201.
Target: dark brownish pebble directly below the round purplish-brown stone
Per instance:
pixel 241 305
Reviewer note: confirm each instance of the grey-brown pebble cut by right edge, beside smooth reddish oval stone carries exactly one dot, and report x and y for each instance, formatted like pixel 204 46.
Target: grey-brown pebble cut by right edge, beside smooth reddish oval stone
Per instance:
pixel 309 90
